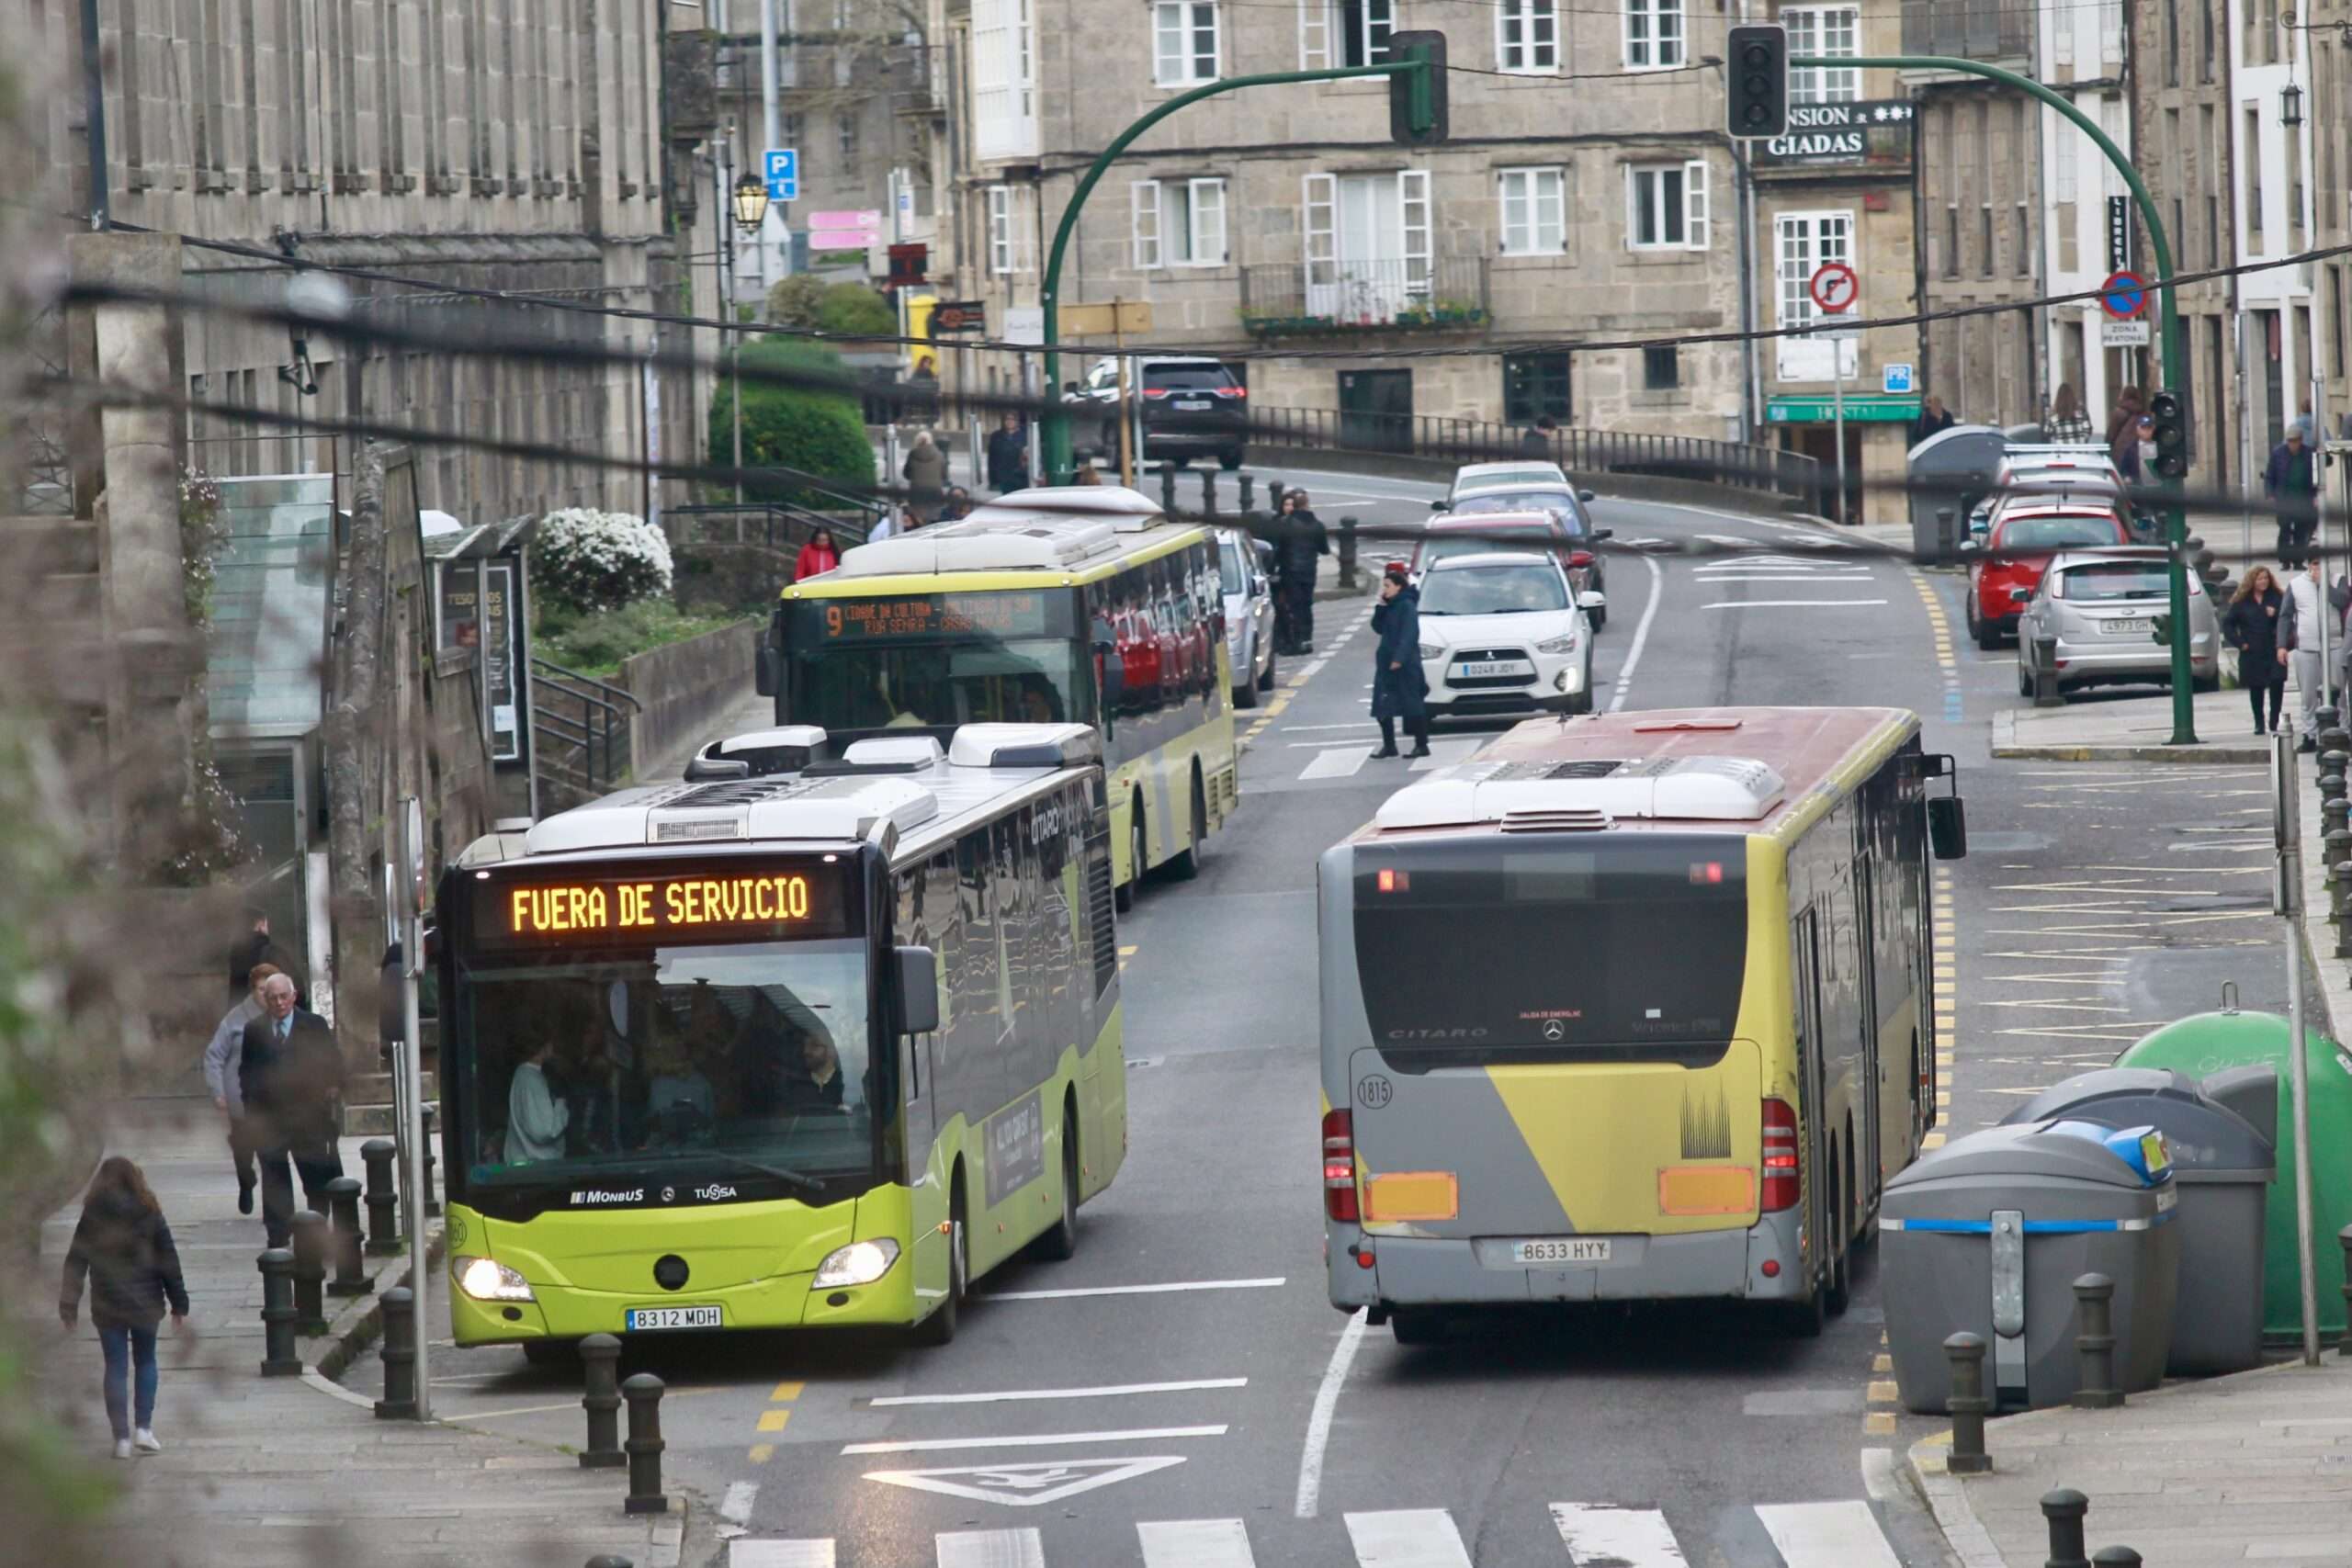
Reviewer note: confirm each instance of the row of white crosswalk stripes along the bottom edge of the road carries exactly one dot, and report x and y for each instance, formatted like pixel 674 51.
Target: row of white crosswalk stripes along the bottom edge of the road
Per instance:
pixel 1593 1536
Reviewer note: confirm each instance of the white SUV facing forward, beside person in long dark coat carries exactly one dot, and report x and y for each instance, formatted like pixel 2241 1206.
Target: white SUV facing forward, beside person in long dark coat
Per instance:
pixel 1502 634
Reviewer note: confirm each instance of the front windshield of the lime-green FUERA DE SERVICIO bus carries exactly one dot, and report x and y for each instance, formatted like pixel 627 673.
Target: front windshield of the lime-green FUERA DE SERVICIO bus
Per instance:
pixel 742 1064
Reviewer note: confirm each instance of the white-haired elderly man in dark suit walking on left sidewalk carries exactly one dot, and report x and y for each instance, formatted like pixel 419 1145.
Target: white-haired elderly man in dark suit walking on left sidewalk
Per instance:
pixel 293 1083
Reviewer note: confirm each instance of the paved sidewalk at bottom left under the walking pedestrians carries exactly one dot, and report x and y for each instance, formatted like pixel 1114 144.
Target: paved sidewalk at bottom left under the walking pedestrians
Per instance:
pixel 265 1473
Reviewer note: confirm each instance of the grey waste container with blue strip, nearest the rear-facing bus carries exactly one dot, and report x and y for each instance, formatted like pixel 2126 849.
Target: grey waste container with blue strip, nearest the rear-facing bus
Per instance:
pixel 1991 1233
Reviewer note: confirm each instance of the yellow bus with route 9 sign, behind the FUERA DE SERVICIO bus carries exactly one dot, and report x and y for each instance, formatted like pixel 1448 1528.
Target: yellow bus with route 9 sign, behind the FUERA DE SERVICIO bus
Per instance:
pixel 1050 605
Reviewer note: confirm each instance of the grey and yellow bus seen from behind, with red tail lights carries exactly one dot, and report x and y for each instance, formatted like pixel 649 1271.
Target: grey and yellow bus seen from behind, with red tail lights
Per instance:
pixel 1631 1007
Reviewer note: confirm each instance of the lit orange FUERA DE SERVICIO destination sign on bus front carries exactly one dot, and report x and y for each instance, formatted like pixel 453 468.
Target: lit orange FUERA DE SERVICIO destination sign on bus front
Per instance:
pixel 702 909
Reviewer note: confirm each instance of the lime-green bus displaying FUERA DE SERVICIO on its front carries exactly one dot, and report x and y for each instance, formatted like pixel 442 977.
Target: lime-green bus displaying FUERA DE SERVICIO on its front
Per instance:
pixel 794 1045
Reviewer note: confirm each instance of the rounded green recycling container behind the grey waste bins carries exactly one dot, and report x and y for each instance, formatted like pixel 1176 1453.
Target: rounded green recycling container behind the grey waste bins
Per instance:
pixel 2214 1043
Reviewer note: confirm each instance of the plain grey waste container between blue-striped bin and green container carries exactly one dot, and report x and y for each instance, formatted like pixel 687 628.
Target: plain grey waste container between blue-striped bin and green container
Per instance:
pixel 2224 1167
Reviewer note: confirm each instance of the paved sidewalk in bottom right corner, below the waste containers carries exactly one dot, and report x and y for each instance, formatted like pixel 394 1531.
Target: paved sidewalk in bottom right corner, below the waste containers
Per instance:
pixel 2247 1468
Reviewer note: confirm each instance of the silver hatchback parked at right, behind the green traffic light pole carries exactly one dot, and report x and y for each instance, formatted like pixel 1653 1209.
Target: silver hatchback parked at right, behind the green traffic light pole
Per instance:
pixel 2102 608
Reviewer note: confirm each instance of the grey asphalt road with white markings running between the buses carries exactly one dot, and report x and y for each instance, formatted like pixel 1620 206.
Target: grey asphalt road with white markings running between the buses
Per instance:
pixel 1184 1398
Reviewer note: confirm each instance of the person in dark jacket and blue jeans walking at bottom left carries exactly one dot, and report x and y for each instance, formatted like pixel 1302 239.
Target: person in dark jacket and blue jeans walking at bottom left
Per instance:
pixel 123 1247
